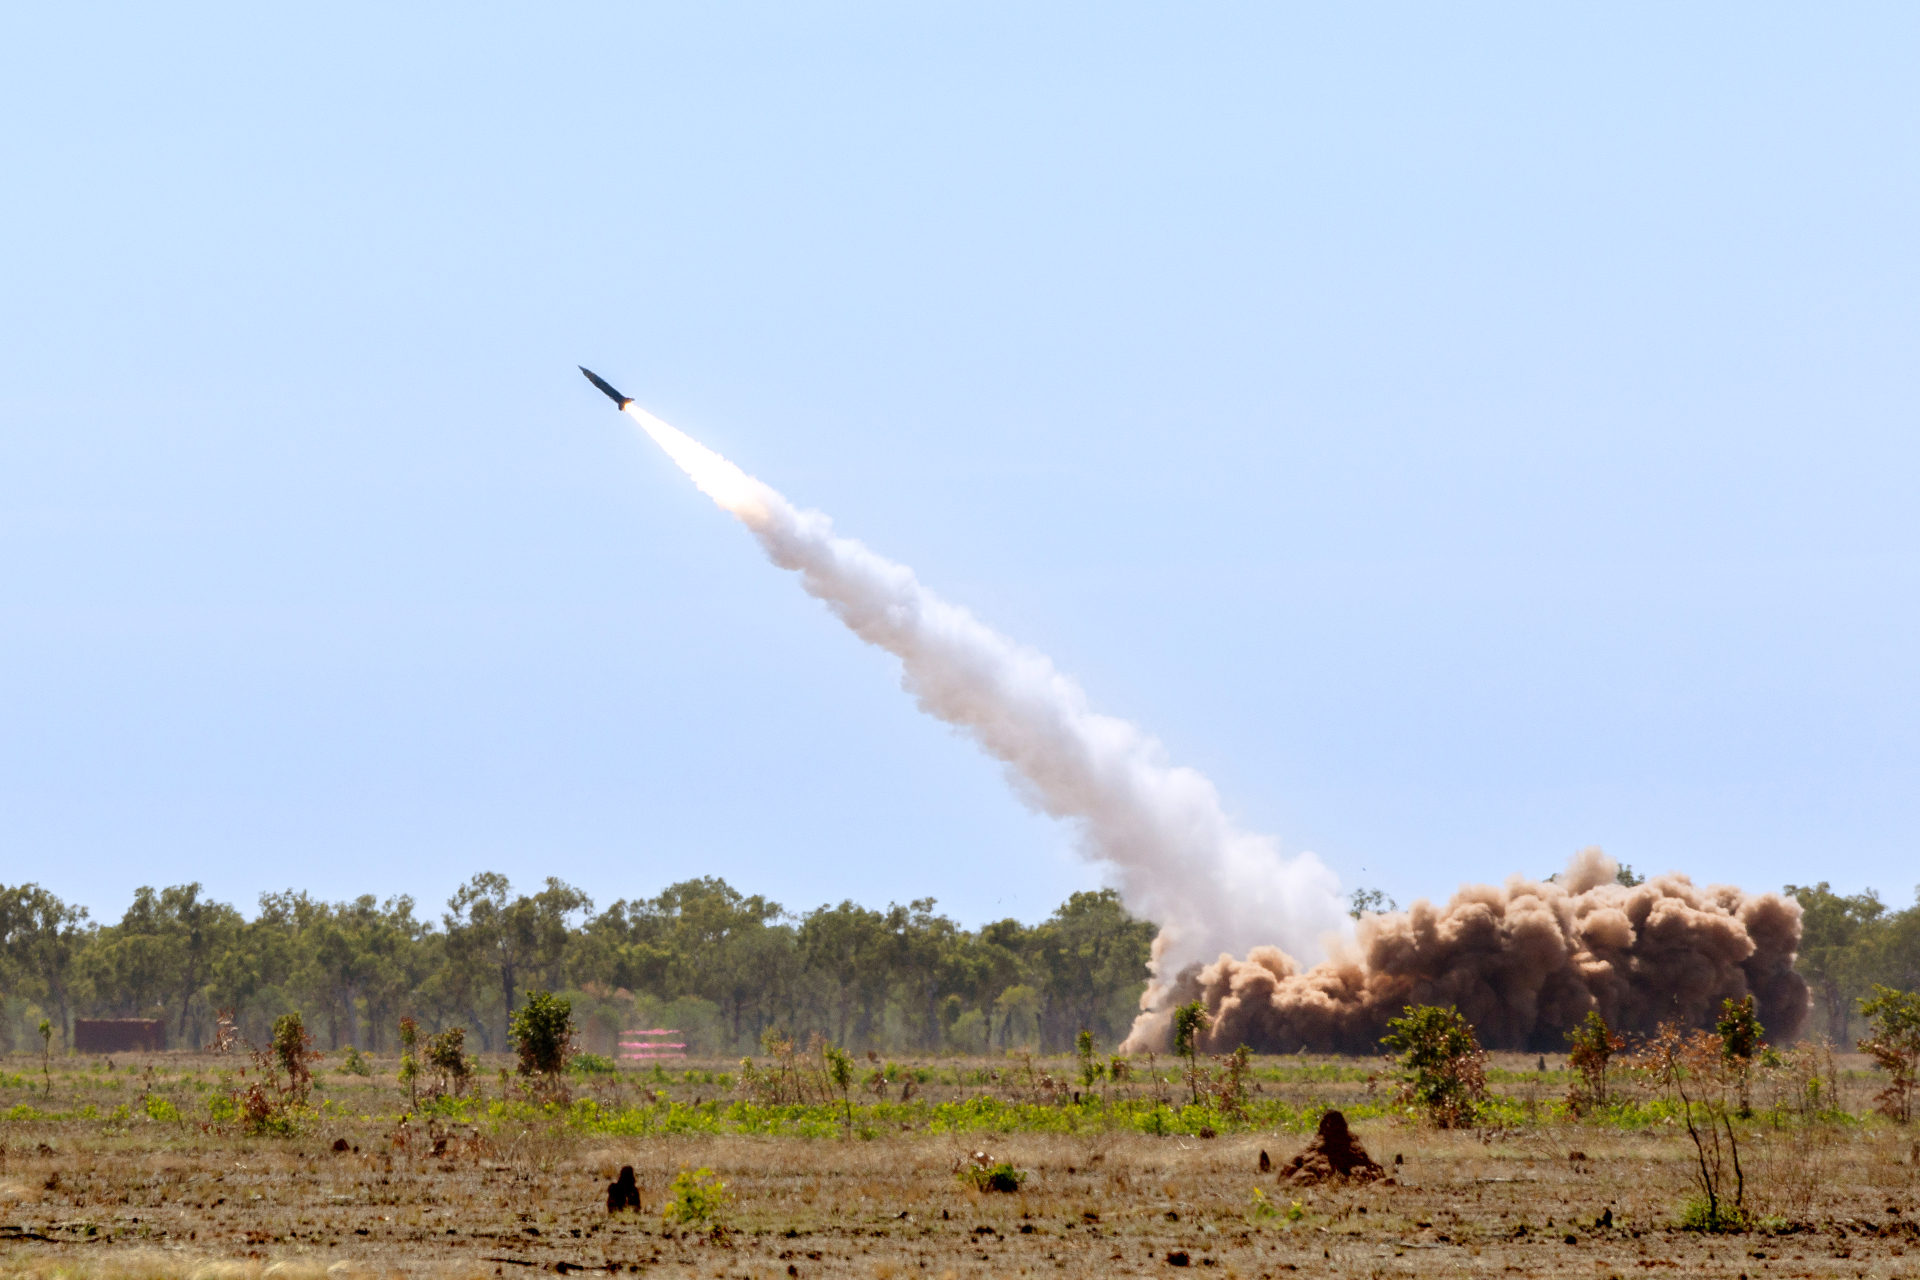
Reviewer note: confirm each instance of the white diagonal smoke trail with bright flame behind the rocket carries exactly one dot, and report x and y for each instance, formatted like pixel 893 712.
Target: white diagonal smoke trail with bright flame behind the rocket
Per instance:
pixel 1161 830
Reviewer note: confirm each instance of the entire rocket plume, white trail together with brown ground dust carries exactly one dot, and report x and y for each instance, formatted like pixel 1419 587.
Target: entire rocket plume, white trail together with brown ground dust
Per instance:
pixel 1522 962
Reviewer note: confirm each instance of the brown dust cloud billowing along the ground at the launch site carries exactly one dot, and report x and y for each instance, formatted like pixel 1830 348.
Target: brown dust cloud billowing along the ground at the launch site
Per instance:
pixel 1522 962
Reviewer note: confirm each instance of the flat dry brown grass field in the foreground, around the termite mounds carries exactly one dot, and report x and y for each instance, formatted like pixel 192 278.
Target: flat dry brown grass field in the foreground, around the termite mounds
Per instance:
pixel 97 1179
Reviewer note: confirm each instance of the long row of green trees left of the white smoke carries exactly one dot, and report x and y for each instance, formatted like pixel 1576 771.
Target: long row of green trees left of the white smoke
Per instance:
pixel 702 959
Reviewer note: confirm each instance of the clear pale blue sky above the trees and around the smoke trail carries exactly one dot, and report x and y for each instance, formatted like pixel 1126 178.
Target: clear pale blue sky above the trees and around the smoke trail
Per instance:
pixel 1466 433
